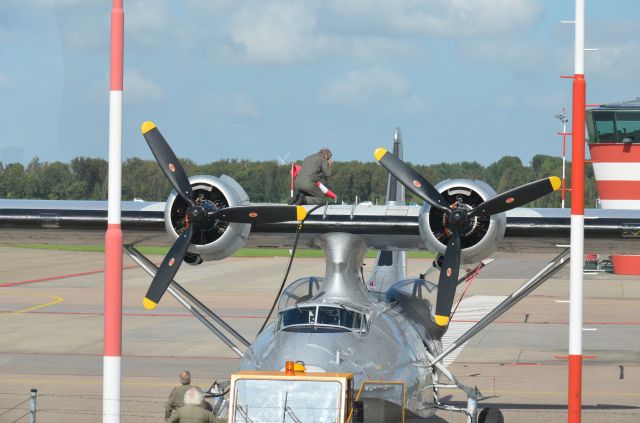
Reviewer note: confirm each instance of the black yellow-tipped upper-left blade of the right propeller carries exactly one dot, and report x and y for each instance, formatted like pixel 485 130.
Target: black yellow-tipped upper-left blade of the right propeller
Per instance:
pixel 410 179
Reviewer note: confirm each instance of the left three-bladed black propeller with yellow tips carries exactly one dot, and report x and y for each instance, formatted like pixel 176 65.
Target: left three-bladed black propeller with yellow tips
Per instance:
pixel 199 216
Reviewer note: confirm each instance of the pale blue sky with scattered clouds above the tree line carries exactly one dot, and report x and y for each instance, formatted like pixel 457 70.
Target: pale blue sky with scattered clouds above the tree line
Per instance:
pixel 257 79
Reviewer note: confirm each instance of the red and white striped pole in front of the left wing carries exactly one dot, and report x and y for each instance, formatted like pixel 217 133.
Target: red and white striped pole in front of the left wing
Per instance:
pixel 113 238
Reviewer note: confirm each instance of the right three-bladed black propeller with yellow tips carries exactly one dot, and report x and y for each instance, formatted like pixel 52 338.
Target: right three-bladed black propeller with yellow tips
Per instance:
pixel 458 216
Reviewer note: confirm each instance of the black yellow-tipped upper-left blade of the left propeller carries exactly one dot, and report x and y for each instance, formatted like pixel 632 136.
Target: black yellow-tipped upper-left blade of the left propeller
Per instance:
pixel 168 161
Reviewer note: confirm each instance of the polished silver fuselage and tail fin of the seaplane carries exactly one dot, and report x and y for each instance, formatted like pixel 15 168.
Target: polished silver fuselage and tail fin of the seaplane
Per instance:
pixel 342 323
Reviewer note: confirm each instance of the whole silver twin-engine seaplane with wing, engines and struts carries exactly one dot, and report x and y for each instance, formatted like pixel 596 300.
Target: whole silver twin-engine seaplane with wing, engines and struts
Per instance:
pixel 383 328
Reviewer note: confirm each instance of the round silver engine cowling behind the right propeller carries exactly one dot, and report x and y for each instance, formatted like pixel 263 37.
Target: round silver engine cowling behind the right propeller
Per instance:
pixel 481 233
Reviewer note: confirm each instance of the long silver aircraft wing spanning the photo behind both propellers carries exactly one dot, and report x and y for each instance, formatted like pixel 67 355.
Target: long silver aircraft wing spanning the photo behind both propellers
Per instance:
pixel 385 227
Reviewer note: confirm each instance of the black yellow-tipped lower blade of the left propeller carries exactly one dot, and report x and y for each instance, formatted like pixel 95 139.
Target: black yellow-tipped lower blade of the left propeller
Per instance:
pixel 168 269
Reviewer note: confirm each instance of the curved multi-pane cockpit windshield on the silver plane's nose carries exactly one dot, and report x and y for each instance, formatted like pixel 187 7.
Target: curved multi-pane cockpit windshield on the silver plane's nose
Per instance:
pixel 323 316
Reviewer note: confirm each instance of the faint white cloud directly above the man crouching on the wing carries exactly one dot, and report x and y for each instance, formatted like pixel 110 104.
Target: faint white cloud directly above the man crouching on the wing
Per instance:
pixel 362 87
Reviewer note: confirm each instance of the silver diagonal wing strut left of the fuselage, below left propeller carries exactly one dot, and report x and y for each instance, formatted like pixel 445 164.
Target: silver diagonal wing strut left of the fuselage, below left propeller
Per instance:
pixel 191 303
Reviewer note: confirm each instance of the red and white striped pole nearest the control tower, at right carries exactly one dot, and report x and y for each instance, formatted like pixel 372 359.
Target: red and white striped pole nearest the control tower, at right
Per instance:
pixel 577 223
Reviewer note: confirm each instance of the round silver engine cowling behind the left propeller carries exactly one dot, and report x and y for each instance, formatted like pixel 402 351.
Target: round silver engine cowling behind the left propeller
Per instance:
pixel 219 239
